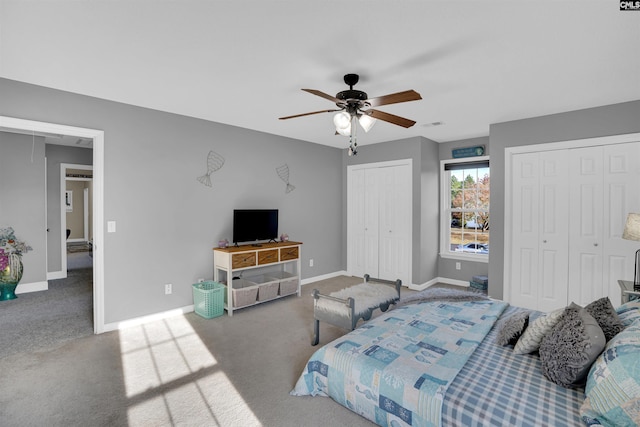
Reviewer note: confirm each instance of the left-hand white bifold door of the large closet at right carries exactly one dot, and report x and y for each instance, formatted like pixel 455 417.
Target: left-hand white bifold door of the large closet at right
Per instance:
pixel 539 234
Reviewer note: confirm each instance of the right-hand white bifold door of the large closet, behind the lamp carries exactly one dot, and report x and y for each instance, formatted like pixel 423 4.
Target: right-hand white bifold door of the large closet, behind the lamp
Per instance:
pixel 603 190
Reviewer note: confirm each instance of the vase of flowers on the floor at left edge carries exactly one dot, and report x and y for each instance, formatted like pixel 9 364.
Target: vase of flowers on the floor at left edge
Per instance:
pixel 11 268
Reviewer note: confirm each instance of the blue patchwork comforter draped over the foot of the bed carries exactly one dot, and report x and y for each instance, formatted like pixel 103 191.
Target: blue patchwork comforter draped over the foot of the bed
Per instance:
pixel 395 370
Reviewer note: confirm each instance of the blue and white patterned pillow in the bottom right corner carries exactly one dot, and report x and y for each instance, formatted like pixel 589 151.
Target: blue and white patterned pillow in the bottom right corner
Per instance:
pixel 613 384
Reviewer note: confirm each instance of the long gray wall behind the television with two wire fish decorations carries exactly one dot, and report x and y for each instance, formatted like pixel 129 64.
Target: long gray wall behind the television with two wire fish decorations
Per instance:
pixel 167 222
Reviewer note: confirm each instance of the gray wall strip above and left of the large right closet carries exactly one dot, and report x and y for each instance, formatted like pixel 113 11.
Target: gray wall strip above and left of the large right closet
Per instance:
pixel 607 120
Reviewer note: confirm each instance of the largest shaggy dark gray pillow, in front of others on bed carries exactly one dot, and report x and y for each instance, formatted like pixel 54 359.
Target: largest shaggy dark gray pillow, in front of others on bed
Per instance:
pixel 571 347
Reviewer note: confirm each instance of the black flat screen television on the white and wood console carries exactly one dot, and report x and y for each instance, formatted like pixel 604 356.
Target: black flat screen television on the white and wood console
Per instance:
pixel 252 225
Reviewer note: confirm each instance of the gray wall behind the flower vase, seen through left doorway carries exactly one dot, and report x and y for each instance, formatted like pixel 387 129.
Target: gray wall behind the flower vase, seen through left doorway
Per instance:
pixel 22 198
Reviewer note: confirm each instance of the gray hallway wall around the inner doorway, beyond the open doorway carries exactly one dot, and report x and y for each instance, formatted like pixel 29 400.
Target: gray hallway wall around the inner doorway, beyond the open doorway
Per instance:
pixel 57 154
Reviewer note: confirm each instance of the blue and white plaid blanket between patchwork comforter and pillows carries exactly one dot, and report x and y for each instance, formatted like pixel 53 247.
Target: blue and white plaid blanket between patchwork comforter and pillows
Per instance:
pixel 499 388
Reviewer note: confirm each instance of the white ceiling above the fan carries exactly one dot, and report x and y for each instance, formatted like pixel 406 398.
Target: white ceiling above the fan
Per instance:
pixel 244 62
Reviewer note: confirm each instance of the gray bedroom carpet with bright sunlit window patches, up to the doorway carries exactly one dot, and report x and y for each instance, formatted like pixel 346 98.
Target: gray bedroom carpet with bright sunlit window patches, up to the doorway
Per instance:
pixel 181 371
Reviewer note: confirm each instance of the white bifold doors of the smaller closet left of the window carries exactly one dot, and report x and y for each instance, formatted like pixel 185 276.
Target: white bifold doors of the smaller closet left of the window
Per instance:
pixel 379 222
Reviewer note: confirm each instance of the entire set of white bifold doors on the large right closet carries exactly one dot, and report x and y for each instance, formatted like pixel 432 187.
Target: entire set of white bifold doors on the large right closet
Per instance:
pixel 568 213
